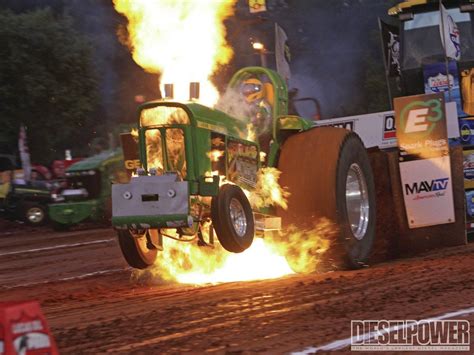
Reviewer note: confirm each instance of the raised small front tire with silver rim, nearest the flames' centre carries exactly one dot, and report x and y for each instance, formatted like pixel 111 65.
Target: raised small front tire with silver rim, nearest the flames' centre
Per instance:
pixel 232 218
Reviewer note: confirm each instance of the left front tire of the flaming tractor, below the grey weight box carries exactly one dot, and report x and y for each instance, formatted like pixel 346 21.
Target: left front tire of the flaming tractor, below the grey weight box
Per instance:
pixel 137 248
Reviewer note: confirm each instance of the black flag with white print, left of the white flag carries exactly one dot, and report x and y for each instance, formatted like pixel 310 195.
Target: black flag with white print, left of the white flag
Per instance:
pixel 391 48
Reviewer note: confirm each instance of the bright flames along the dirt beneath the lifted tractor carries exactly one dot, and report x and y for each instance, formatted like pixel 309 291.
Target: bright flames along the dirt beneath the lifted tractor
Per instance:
pixel 277 254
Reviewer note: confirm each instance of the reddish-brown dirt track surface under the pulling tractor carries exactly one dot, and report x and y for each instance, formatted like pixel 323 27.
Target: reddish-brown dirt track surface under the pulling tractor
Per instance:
pixel 93 305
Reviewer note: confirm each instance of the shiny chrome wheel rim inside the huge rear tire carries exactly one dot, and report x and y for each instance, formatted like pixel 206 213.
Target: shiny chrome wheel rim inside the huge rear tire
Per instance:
pixel 357 201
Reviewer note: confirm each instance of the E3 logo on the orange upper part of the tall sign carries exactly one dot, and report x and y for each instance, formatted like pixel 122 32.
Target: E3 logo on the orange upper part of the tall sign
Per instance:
pixel 421 117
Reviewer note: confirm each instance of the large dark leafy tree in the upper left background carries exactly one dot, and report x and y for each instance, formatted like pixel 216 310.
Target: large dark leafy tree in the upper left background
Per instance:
pixel 47 83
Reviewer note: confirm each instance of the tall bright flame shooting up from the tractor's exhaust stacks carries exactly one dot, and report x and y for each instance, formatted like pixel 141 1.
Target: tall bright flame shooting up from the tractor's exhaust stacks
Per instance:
pixel 182 40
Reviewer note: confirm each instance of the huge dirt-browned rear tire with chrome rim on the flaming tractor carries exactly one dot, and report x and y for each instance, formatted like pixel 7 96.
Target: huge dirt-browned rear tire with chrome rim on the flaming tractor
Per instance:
pixel 328 174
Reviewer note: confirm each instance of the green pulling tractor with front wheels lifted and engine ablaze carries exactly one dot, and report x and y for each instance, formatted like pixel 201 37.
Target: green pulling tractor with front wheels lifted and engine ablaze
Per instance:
pixel 191 165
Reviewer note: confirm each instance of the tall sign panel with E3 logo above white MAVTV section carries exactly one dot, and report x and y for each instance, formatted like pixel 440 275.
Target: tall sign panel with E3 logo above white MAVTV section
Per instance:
pixel 425 166
